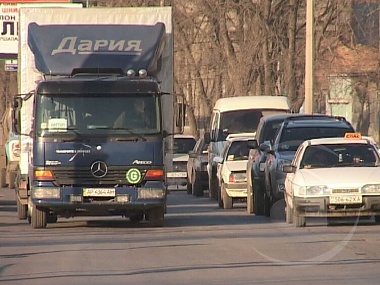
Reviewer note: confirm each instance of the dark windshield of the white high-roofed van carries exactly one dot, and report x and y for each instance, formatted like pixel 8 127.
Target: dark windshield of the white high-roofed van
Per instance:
pixel 244 121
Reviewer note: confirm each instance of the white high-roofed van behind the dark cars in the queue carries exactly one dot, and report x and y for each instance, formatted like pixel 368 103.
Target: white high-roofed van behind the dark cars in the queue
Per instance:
pixel 237 115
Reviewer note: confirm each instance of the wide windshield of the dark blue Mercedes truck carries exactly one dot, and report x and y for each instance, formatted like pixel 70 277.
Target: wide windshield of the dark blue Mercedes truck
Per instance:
pixel 96 115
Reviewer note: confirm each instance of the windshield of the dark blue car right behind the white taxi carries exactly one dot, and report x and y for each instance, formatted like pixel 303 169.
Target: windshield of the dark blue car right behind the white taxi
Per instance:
pixel 292 138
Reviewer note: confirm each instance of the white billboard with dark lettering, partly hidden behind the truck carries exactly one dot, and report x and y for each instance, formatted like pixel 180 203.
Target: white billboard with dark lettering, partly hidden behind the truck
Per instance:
pixel 9 13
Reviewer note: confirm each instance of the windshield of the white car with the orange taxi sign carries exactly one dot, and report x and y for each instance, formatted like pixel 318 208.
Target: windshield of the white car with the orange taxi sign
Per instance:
pixel 339 155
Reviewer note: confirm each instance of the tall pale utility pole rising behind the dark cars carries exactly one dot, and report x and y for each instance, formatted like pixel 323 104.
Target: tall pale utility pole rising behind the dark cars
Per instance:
pixel 309 60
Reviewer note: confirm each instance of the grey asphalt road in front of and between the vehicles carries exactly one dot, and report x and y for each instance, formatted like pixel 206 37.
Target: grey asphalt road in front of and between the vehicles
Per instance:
pixel 199 244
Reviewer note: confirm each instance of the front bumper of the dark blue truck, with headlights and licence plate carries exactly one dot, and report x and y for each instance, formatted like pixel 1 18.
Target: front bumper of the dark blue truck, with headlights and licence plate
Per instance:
pixel 87 201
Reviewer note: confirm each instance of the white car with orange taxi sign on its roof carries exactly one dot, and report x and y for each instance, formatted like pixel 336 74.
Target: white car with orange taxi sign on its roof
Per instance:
pixel 333 177
